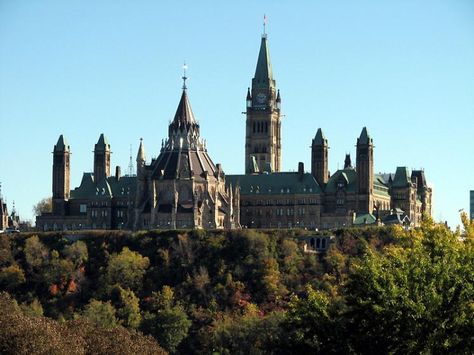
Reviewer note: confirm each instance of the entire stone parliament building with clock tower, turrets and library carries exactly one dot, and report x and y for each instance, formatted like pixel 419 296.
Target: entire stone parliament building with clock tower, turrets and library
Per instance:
pixel 183 188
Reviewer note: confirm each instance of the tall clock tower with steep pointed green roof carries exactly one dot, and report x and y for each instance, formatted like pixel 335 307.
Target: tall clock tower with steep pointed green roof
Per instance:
pixel 263 124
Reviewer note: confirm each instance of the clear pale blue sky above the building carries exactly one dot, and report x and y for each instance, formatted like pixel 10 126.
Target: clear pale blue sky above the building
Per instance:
pixel 402 68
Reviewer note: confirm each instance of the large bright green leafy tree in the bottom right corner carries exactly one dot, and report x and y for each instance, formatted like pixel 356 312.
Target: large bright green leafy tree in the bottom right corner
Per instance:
pixel 415 296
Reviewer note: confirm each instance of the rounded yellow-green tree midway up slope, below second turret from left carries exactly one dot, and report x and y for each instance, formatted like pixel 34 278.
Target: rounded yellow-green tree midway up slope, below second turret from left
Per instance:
pixel 127 269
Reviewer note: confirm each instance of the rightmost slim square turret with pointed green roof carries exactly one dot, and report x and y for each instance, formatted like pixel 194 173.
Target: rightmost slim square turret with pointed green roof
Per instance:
pixel 365 171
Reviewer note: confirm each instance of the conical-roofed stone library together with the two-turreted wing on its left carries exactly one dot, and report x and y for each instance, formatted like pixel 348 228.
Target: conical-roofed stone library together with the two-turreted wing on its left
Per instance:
pixel 182 188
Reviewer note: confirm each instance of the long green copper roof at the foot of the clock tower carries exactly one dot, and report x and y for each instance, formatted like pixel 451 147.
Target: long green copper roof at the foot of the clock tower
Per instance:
pixel 275 183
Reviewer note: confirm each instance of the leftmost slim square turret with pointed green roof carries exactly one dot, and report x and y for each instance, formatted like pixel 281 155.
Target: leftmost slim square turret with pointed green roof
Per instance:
pixel 61 175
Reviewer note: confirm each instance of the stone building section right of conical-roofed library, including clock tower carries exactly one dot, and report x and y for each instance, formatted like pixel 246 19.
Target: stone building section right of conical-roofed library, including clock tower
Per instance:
pixel 353 195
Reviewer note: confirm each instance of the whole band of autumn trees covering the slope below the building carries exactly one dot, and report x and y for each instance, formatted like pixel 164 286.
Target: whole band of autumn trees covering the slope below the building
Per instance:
pixel 376 290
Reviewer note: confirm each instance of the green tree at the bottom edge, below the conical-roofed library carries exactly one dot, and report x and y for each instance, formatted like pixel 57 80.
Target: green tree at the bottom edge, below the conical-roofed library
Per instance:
pixel 166 320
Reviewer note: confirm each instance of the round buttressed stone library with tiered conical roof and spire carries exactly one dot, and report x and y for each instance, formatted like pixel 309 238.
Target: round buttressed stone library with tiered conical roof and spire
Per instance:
pixel 182 188
